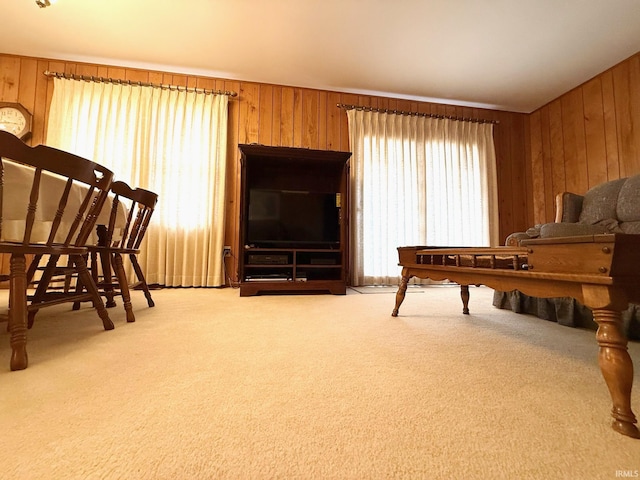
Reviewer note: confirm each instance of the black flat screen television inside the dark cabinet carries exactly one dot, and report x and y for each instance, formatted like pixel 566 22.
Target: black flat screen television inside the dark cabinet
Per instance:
pixel 292 219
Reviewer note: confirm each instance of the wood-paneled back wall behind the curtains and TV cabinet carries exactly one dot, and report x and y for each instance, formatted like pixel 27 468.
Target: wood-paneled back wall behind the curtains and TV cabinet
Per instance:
pixel 280 116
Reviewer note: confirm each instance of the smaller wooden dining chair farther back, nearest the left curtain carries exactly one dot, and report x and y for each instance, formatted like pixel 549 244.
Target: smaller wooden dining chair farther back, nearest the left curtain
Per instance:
pixel 106 264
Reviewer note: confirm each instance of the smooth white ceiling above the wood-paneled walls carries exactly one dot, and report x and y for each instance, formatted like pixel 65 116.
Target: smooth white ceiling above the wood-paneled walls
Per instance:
pixel 514 55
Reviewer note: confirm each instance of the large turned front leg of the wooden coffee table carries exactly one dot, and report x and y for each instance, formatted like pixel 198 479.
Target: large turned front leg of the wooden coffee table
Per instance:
pixel 617 369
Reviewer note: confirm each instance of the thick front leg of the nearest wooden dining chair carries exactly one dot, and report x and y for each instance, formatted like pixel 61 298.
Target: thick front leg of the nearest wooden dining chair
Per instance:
pixel 18 312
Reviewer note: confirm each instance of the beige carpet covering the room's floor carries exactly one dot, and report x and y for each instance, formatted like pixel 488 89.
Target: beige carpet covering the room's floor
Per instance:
pixel 208 385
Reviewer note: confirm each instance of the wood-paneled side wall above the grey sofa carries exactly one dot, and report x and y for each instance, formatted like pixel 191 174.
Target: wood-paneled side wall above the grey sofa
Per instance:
pixel 587 136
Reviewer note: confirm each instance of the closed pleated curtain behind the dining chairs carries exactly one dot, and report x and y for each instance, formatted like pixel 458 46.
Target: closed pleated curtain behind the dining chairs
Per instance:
pixel 167 141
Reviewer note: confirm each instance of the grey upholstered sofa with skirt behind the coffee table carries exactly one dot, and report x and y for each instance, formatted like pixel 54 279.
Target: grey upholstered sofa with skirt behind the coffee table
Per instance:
pixel 611 207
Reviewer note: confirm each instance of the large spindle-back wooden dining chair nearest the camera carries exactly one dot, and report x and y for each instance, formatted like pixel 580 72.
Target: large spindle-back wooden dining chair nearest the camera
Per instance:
pixel 48 209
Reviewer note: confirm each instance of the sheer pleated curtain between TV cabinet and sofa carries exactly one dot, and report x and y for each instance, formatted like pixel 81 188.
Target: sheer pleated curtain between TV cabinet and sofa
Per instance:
pixel 417 180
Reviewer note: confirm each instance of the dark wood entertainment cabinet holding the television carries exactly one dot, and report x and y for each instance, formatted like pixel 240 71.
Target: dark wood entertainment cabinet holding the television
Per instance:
pixel 289 242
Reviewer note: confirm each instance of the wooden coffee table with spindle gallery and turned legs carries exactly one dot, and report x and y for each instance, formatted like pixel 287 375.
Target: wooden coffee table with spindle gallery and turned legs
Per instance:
pixel 601 271
